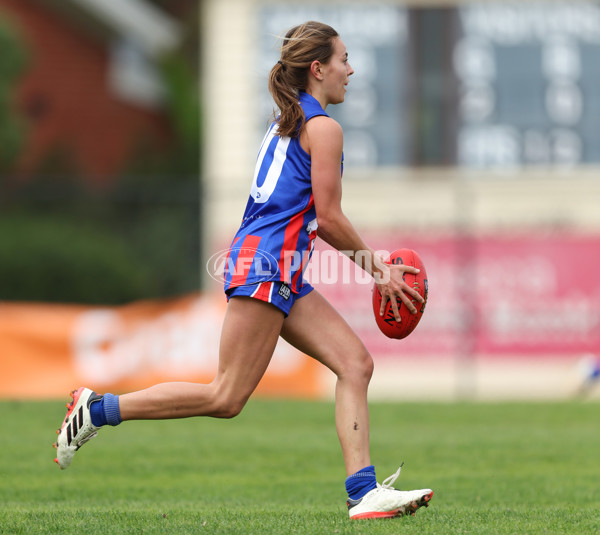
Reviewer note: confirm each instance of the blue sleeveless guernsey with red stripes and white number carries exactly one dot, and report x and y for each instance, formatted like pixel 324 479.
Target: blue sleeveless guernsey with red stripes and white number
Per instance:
pixel 279 227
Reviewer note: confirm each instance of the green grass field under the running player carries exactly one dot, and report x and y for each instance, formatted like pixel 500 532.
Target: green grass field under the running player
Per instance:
pixel 276 469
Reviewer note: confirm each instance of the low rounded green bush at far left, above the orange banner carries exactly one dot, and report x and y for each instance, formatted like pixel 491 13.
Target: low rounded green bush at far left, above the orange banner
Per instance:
pixel 49 258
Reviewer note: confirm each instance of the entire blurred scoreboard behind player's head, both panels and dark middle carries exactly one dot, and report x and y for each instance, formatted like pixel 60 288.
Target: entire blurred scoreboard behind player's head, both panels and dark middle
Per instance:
pixel 490 84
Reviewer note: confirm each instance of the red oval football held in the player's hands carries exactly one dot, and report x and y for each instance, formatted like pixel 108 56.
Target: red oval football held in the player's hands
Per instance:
pixel 387 323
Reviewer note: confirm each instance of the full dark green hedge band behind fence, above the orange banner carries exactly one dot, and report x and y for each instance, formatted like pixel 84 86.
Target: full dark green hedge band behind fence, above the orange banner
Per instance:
pixel 60 242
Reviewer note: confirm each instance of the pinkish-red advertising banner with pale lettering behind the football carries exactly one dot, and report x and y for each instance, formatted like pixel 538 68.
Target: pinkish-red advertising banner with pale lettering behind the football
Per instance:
pixel 518 295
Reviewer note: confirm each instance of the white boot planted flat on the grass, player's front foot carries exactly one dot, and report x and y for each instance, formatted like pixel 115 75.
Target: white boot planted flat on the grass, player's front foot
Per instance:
pixel 386 502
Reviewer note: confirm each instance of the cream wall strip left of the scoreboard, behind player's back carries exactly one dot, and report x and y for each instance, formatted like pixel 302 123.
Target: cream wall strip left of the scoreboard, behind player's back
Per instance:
pixel 228 87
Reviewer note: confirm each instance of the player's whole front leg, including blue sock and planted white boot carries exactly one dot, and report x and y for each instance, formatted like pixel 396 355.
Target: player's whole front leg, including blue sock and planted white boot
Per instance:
pixel 316 328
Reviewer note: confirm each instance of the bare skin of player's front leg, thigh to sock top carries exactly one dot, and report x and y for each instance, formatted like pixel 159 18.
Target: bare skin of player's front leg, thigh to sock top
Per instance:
pixel 316 328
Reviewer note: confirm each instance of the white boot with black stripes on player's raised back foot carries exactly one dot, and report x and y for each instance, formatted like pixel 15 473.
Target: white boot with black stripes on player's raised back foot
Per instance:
pixel 77 427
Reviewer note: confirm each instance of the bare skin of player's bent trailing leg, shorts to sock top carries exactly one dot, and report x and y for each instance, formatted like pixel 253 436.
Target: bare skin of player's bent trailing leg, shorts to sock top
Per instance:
pixel 248 338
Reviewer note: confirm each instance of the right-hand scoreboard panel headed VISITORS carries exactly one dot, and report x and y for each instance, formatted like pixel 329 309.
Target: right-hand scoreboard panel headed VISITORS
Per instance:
pixel 528 79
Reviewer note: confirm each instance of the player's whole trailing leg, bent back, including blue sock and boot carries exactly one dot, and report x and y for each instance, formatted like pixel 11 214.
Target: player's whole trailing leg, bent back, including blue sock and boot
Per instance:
pixel 250 332
